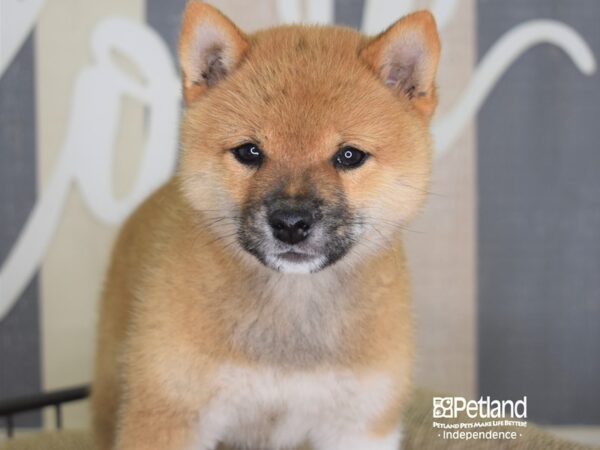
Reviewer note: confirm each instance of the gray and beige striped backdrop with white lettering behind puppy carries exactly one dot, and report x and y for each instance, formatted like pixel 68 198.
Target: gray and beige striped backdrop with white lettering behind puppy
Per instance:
pixel 505 258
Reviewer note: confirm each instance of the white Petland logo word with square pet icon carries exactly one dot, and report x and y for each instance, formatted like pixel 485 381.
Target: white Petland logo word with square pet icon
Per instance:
pixel 484 408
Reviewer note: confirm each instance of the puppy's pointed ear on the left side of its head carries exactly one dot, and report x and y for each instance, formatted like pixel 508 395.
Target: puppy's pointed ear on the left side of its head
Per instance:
pixel 210 47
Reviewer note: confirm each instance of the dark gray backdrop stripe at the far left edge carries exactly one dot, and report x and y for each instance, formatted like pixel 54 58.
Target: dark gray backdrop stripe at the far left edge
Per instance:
pixel 19 331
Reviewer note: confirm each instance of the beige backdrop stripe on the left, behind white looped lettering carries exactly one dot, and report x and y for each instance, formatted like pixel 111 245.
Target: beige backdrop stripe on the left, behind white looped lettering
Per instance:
pixel 76 260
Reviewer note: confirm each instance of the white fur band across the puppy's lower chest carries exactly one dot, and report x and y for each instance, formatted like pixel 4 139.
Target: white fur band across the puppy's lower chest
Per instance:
pixel 266 409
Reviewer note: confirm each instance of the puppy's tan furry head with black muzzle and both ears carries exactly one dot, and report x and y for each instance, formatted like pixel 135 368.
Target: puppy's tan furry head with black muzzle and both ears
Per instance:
pixel 301 145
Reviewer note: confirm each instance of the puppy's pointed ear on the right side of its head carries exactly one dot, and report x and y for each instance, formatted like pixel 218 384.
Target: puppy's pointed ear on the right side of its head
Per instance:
pixel 405 57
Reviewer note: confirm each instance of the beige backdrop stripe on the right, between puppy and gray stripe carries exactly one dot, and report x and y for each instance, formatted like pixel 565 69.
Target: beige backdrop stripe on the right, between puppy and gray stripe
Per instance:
pixel 441 251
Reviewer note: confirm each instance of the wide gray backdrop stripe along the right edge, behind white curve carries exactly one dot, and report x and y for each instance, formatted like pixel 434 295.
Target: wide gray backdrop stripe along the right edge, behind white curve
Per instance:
pixel 539 220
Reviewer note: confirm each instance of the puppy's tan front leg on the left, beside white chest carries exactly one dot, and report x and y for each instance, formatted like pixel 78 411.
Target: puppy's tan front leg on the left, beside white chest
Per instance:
pixel 165 393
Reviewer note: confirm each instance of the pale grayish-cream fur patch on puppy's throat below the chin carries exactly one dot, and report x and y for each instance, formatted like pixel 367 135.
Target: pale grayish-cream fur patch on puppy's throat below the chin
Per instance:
pixel 292 319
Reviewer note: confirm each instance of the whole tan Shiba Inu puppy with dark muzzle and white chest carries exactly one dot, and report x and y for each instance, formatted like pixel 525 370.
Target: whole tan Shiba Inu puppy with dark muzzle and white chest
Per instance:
pixel 260 298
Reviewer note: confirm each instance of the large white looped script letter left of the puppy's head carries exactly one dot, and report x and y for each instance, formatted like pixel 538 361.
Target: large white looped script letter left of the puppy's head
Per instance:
pixel 87 154
